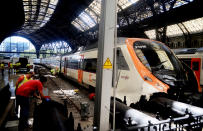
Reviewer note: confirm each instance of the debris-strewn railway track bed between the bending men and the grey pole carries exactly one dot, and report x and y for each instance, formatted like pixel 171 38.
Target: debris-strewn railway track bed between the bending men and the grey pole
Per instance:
pixel 58 89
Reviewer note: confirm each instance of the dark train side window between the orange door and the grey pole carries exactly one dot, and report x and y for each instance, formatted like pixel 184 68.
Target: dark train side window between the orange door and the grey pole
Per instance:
pixel 90 65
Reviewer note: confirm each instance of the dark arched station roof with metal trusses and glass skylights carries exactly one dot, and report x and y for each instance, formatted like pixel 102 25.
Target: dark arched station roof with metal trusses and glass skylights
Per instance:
pixel 76 21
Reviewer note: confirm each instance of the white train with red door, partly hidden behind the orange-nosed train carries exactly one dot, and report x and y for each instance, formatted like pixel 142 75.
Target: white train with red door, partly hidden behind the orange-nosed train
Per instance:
pixel 194 59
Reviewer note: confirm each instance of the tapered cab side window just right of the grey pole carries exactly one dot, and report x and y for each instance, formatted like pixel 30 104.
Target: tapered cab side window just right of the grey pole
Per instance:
pixel 121 62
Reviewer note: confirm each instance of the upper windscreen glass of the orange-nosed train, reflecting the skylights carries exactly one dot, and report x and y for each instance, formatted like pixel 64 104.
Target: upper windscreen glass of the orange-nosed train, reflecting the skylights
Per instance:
pixel 153 55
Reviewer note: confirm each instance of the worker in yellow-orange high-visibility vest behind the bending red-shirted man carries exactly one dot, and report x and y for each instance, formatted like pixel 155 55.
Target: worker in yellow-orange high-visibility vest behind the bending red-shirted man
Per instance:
pixel 21 80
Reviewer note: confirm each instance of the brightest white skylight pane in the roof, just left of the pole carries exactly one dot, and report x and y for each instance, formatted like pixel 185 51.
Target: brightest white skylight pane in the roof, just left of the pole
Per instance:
pixel 86 19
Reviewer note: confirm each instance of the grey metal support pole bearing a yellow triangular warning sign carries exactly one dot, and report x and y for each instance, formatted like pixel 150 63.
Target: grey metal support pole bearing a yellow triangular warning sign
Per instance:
pixel 107 29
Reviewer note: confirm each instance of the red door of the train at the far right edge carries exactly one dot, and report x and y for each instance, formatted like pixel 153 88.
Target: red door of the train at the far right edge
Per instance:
pixel 196 67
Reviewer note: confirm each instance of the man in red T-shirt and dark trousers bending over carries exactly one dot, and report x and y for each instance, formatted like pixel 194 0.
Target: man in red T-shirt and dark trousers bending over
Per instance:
pixel 26 90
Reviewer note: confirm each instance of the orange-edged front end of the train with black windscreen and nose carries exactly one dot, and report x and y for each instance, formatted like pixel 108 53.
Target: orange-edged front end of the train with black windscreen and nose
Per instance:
pixel 160 68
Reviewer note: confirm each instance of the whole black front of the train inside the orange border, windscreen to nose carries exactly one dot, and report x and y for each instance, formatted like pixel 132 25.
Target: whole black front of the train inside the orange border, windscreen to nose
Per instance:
pixel 163 64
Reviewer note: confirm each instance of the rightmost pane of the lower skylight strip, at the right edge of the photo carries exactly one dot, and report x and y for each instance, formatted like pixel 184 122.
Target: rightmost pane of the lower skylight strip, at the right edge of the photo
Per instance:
pixel 194 26
